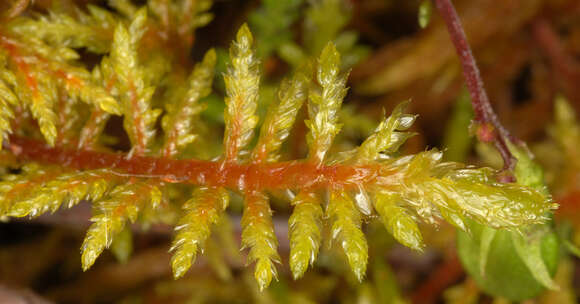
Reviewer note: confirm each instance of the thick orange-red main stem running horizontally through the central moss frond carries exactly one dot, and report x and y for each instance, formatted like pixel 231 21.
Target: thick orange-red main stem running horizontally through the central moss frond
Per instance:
pixel 242 177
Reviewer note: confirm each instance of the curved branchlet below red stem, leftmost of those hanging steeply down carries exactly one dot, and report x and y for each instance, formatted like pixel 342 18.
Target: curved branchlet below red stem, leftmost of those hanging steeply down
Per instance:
pixel 111 214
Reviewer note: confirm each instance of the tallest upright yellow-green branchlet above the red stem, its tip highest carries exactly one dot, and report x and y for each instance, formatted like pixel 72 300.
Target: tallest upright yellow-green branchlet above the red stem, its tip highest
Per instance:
pixel 242 84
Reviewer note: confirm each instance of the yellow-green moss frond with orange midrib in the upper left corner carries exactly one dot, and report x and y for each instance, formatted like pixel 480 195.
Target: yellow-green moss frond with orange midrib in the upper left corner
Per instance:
pixel 34 74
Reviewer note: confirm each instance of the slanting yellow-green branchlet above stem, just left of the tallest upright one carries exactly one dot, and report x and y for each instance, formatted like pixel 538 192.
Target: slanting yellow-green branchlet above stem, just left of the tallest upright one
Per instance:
pixel 178 122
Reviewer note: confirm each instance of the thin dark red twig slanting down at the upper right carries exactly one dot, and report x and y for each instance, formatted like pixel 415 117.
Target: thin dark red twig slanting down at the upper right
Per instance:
pixel 484 116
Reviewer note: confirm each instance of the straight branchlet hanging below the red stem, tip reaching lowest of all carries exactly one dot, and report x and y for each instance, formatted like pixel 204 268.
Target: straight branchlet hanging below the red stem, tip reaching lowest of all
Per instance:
pixel 258 235
